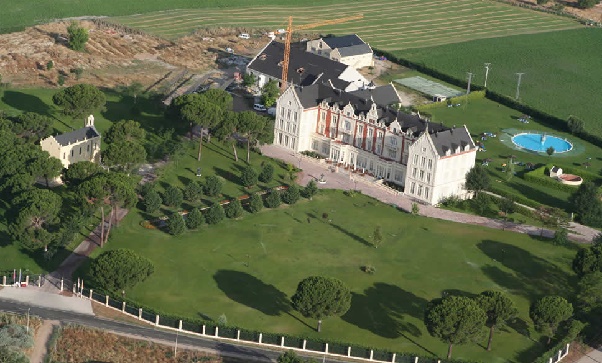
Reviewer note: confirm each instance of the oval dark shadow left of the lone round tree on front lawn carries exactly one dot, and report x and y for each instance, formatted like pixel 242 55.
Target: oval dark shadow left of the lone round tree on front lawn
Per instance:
pixel 252 292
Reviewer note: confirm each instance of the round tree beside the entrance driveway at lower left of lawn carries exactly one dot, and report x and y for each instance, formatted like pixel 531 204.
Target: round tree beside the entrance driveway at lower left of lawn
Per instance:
pixel 119 269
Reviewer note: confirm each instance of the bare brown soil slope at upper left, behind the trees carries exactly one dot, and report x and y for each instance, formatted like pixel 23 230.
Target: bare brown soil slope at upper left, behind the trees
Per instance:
pixel 114 55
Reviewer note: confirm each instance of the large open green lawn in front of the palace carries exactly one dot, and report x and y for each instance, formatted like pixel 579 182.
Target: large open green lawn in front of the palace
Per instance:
pixel 248 269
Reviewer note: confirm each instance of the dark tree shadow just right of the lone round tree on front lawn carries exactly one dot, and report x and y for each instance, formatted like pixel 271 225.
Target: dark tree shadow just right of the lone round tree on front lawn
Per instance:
pixel 384 309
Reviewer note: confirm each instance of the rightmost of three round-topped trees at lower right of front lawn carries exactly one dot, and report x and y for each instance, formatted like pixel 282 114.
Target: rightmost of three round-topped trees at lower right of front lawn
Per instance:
pixel 548 312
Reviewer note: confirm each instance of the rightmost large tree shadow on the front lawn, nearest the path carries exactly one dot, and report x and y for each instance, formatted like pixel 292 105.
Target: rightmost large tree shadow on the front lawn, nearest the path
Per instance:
pixel 532 276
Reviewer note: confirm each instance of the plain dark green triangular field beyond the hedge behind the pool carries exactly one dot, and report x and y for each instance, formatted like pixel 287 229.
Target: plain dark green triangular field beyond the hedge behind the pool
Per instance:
pixel 560 77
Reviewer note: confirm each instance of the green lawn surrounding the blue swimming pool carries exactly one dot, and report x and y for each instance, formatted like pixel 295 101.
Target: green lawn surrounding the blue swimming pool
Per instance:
pixel 487 116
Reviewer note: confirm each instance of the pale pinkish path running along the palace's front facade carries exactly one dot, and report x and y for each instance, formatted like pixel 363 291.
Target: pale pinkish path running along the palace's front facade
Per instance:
pixel 312 169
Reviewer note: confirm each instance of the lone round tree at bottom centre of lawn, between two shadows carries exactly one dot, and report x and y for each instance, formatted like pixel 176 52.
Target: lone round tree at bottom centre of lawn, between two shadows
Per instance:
pixel 319 297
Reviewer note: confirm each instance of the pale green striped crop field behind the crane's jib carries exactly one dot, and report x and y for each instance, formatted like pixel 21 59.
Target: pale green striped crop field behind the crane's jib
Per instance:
pixel 387 24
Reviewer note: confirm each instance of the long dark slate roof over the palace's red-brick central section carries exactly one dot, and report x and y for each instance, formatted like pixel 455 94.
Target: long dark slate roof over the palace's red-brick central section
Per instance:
pixel 313 95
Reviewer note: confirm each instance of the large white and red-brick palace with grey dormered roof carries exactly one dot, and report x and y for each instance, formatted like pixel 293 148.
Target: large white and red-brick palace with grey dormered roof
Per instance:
pixel 356 131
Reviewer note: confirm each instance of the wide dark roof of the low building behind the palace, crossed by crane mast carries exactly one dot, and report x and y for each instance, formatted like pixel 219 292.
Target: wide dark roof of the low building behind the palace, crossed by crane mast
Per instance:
pixel 313 66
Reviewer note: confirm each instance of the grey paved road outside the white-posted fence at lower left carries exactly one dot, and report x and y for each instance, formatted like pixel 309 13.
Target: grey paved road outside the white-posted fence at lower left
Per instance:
pixel 148 333
